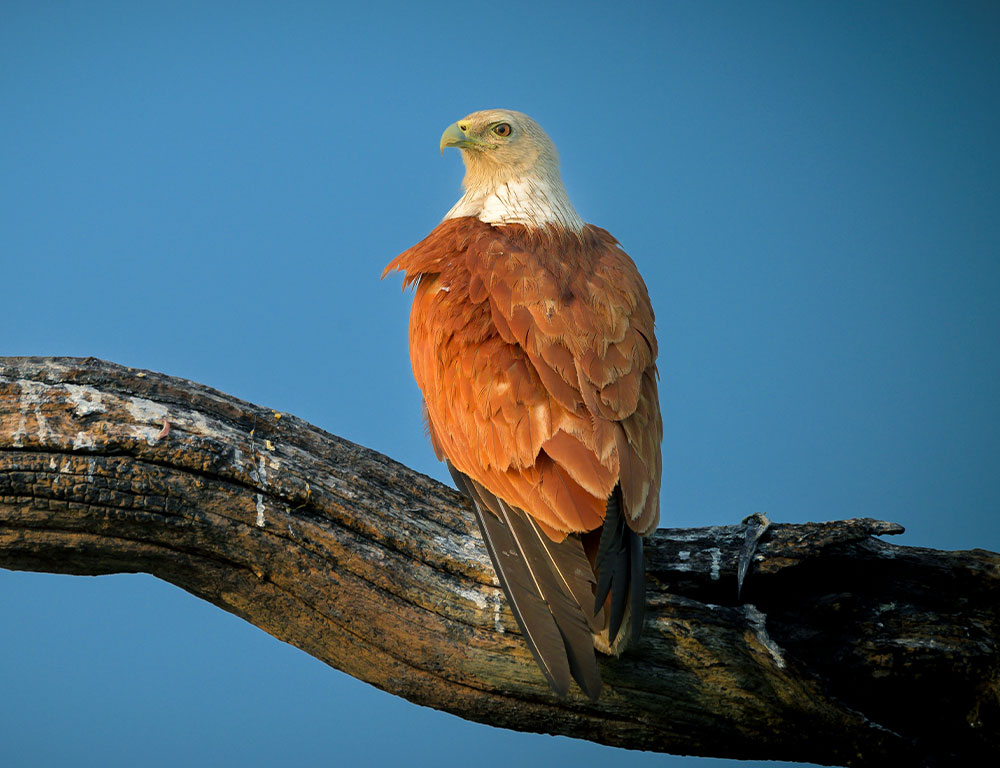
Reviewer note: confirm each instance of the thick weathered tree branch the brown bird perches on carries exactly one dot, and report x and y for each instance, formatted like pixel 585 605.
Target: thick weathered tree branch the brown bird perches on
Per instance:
pixel 843 649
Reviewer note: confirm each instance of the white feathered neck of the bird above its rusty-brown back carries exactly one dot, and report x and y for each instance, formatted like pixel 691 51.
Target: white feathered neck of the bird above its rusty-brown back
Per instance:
pixel 530 201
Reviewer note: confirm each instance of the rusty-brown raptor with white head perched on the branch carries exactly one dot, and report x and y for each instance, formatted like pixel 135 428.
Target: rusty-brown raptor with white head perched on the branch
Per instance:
pixel 531 339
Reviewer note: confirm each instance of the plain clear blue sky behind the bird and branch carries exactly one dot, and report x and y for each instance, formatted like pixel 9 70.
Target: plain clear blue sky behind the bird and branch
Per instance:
pixel 812 191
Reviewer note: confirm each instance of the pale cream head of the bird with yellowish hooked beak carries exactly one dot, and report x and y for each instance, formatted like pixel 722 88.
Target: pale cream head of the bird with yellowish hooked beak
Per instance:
pixel 501 145
